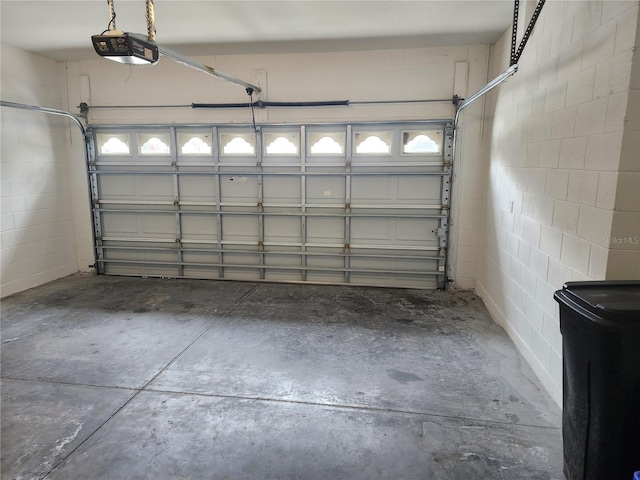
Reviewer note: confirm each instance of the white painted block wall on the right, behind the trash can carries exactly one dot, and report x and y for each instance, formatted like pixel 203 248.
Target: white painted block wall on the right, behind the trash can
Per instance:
pixel 563 183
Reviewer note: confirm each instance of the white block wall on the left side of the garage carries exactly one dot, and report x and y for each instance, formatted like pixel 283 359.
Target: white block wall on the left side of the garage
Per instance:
pixel 38 231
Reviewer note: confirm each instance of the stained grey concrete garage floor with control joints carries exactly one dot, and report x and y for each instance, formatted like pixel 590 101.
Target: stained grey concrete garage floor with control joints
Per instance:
pixel 131 378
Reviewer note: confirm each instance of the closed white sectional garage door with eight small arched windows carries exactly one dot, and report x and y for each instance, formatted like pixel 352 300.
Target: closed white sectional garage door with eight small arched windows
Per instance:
pixel 362 204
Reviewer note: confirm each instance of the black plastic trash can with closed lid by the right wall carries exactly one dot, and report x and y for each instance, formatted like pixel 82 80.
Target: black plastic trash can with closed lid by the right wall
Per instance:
pixel 600 325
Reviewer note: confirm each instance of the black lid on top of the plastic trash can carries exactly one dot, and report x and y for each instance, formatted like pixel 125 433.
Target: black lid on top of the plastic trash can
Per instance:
pixel 609 300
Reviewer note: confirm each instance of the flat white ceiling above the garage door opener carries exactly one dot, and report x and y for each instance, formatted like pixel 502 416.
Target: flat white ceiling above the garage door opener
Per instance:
pixel 62 29
